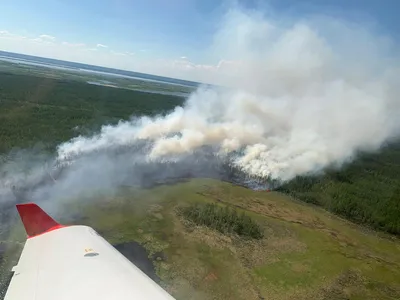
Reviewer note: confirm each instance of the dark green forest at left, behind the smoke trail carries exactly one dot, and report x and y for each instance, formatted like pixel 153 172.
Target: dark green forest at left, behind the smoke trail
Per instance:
pixel 51 111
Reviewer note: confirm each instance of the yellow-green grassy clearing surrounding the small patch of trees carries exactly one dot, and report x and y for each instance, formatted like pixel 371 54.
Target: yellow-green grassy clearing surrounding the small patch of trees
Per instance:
pixel 306 252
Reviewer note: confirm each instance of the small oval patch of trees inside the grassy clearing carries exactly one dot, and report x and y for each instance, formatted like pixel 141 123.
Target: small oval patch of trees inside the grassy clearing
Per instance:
pixel 223 219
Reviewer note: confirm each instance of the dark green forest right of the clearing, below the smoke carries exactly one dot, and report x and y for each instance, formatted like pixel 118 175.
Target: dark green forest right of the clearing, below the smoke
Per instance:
pixel 366 191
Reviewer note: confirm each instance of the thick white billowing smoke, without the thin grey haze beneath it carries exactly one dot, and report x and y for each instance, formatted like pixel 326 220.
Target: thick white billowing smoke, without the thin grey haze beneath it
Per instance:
pixel 300 97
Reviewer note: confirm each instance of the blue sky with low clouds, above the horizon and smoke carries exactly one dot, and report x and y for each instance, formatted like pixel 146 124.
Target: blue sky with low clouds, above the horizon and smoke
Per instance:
pixel 165 37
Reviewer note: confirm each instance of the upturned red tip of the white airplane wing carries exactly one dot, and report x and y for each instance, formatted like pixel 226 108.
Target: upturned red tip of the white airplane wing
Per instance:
pixel 35 220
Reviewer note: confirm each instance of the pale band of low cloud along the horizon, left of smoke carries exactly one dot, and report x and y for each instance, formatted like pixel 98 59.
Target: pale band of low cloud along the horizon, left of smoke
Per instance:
pixel 47 46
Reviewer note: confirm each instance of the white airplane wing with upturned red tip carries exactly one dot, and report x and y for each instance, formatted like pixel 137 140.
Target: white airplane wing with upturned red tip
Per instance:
pixel 72 263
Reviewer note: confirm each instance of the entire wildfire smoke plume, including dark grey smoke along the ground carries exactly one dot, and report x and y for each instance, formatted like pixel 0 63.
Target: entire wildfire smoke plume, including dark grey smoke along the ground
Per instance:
pixel 289 98
